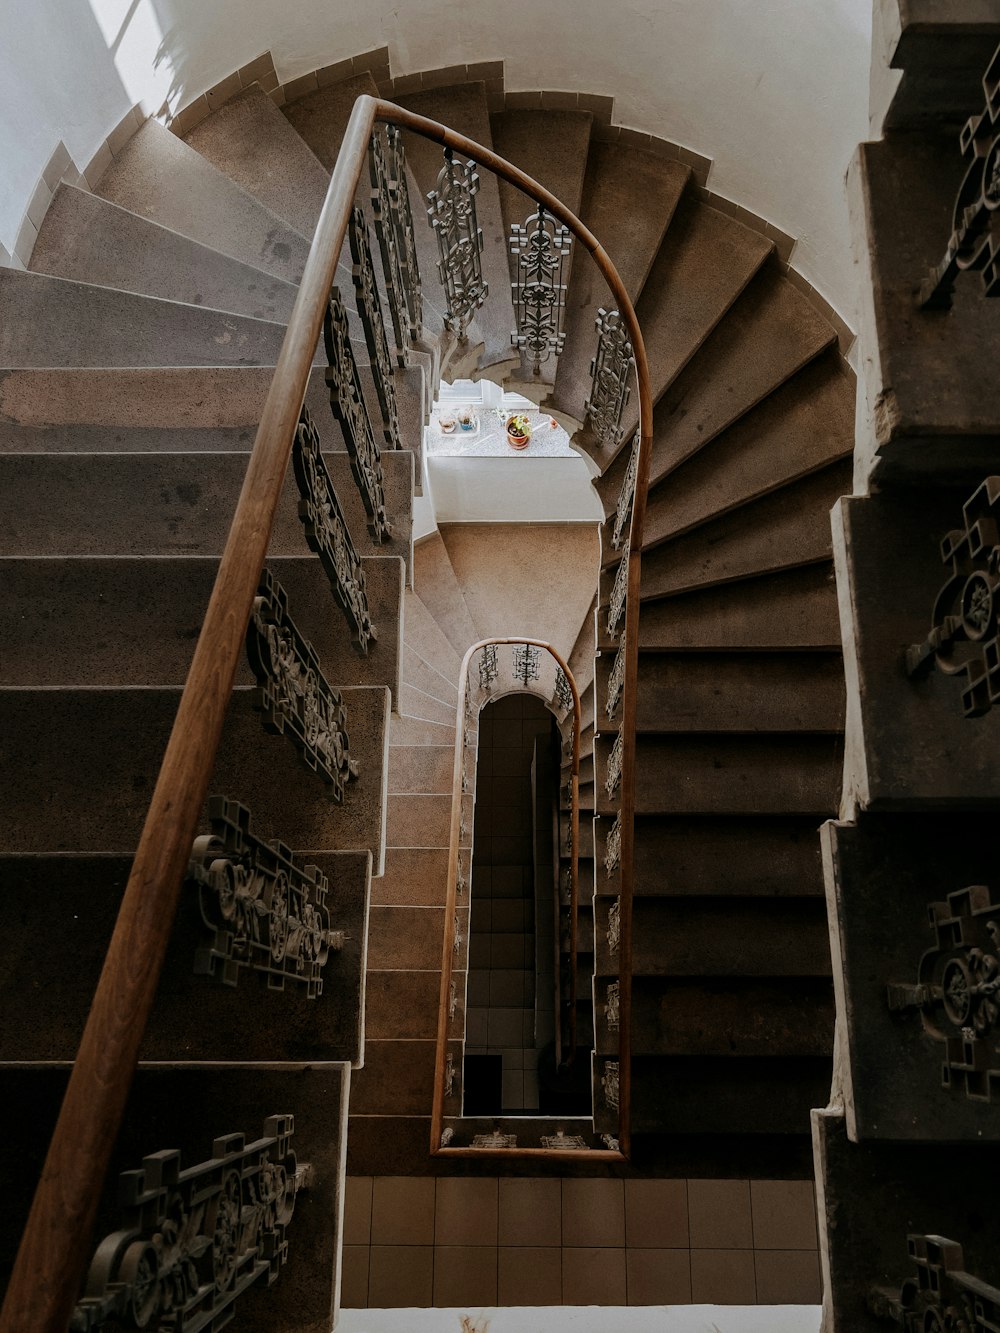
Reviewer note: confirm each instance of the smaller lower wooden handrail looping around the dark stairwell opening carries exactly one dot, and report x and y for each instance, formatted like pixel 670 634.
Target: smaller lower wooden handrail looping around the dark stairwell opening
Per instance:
pixel 453 894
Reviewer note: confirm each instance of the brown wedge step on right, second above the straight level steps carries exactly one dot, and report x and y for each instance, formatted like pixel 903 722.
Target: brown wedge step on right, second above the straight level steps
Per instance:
pixel 787 529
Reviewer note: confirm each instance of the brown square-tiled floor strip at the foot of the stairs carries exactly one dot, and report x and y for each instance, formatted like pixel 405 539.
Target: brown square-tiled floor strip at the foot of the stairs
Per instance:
pixel 461 1242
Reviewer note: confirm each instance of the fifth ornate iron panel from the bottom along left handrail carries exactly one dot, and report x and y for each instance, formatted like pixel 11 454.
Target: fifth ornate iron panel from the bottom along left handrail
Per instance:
pixel 349 407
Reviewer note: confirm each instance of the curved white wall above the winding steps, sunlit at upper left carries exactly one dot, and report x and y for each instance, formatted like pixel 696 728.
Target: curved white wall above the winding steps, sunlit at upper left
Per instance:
pixel 774 91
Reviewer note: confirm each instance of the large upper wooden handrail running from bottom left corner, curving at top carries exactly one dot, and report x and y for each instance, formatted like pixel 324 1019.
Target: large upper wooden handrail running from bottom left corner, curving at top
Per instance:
pixel 53 1255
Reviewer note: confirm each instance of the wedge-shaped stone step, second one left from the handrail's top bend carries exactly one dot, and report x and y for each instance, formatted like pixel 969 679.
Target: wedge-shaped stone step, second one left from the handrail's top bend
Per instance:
pixel 257 147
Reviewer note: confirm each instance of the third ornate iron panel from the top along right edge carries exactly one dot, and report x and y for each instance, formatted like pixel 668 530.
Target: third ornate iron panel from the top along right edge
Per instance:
pixel 958 990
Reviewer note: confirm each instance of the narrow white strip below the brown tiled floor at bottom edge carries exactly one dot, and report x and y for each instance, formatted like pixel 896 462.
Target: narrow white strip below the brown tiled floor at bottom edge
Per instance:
pixel 590 1319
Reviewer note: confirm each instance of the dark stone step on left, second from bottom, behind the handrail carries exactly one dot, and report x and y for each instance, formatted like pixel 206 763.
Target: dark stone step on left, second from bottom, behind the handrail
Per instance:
pixel 46 1023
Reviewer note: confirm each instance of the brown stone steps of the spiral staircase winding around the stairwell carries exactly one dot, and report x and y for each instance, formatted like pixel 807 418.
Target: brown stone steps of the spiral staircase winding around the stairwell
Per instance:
pixel 137 353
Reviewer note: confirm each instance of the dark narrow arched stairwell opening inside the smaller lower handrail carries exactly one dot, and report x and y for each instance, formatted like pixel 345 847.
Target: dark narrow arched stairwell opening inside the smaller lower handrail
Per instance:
pixel 514 1062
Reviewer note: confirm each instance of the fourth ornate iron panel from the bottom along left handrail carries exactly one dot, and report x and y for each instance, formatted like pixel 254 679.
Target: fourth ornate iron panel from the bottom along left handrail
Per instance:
pixel 327 533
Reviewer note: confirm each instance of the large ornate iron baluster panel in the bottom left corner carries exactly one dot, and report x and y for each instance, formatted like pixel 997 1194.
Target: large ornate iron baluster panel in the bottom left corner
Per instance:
pixel 194 1240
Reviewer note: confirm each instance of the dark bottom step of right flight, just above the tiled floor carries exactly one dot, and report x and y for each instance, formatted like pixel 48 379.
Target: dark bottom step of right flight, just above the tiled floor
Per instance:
pixel 693 1095
